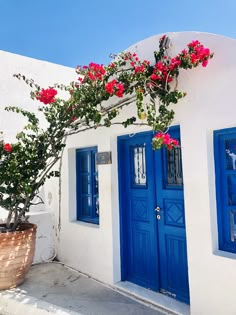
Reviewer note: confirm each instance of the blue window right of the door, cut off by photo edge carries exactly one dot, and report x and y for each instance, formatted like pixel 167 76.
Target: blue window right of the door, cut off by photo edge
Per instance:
pixel 225 174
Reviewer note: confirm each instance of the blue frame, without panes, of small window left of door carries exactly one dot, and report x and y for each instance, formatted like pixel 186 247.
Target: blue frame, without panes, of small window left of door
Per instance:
pixel 92 217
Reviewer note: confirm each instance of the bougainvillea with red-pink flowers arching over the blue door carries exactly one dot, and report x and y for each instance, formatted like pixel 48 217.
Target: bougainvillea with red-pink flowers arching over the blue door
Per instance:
pixel 94 100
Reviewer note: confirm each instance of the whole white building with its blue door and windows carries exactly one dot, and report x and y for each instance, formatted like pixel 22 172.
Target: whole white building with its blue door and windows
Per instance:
pixel 158 225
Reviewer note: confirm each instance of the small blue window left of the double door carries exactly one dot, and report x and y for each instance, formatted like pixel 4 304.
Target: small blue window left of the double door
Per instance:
pixel 87 185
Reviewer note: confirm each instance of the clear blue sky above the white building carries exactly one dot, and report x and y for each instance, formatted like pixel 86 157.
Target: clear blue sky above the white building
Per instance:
pixel 72 32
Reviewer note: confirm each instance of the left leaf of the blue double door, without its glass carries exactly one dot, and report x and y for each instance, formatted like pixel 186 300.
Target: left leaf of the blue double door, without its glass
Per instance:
pixel 138 223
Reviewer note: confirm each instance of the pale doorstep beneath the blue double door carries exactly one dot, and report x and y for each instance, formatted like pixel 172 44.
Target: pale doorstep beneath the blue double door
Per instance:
pixel 161 301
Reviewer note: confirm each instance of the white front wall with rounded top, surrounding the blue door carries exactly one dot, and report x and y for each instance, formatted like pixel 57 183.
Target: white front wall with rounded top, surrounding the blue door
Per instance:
pixel 209 105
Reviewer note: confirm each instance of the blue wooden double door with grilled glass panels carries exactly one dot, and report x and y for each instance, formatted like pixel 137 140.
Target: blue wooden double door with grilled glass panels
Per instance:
pixel 153 238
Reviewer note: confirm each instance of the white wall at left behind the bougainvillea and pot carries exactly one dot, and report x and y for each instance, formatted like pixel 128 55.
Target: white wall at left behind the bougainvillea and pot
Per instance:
pixel 16 93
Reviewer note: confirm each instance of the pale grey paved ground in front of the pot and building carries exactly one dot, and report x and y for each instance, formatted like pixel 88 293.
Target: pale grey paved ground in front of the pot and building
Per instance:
pixel 56 288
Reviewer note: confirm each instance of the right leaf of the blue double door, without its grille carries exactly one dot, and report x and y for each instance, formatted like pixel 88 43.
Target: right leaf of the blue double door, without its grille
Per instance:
pixel 171 230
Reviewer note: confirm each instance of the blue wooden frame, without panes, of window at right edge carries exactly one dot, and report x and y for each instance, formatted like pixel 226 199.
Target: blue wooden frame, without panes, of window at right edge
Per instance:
pixel 221 184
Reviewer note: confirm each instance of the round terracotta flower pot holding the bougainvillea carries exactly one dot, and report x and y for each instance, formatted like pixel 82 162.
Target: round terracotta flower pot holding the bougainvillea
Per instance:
pixel 16 255
